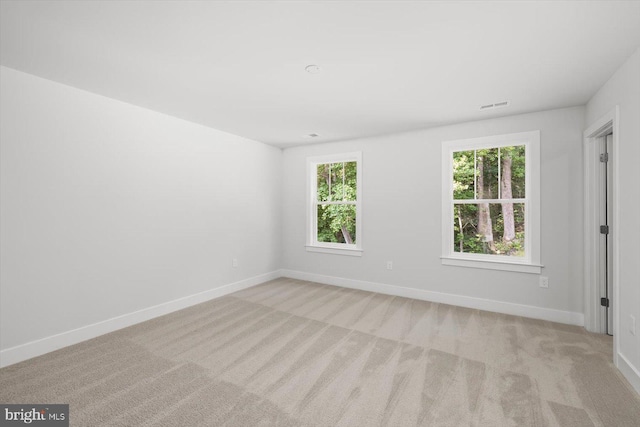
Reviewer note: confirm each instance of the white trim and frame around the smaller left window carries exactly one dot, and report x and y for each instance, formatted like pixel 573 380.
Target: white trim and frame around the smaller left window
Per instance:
pixel 312 235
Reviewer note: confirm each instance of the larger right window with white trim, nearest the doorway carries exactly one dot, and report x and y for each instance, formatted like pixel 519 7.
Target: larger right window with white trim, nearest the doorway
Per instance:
pixel 491 202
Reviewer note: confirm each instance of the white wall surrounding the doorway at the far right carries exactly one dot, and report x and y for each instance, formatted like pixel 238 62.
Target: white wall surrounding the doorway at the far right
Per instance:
pixel 623 90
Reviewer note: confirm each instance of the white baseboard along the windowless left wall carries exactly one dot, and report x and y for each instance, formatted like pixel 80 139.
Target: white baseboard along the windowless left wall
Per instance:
pixel 45 345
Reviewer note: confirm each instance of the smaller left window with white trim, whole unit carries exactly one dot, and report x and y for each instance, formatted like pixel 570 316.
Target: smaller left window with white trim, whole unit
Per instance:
pixel 334 213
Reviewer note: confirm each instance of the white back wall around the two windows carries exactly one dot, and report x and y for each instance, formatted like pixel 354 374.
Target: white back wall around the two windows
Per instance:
pixel 402 214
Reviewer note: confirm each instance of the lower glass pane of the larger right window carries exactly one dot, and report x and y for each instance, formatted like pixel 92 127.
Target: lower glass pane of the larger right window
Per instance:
pixel 489 228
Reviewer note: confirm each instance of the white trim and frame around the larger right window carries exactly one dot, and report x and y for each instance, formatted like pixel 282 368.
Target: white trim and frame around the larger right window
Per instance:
pixel 531 262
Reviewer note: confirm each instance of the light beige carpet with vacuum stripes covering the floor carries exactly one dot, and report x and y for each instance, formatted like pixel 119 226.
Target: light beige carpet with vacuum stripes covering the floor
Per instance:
pixel 296 353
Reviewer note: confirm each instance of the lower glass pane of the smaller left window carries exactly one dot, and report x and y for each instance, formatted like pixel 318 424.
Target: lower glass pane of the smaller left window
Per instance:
pixel 337 224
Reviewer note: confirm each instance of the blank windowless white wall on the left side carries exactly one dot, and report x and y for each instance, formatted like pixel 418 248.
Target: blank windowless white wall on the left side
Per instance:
pixel 108 208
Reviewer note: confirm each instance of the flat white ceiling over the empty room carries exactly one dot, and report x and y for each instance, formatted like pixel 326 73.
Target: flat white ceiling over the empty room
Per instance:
pixel 386 66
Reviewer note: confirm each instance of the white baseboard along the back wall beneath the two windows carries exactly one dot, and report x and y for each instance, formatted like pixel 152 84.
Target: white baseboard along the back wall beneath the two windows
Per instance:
pixel 567 317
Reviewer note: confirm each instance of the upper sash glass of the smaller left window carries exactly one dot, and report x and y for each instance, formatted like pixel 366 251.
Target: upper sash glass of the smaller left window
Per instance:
pixel 337 181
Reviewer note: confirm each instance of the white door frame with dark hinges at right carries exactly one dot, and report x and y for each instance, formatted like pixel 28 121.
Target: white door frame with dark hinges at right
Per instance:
pixel 592 312
